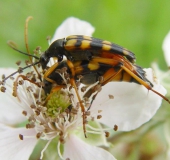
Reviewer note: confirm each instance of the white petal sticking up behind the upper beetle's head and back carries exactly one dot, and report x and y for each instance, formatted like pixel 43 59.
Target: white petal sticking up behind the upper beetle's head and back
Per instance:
pixel 72 26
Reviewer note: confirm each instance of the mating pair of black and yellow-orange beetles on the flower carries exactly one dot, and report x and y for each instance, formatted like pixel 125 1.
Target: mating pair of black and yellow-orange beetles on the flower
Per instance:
pixel 91 58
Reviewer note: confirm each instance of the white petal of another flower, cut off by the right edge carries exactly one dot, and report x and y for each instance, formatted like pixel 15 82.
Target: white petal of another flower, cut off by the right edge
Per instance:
pixel 166 48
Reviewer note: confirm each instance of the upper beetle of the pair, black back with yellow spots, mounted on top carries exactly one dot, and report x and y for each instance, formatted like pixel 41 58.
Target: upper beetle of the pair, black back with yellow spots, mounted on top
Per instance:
pixel 79 47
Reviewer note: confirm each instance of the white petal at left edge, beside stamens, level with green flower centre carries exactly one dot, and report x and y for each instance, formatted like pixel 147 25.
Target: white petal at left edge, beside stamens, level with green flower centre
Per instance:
pixel 10 110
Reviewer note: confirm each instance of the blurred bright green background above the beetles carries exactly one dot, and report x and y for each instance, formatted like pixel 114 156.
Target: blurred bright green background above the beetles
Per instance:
pixel 139 26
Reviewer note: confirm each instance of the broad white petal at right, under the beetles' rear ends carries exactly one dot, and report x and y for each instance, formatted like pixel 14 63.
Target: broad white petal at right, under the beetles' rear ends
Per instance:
pixel 132 105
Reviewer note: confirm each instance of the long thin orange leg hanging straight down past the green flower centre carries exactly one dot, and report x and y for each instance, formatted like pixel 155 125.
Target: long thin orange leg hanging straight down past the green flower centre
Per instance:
pixel 73 83
